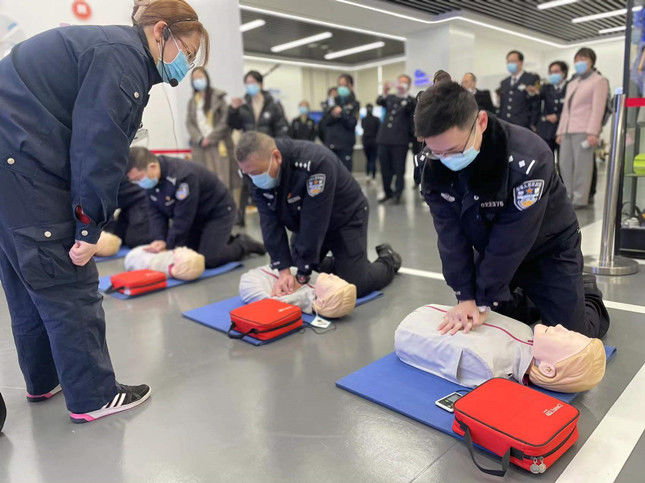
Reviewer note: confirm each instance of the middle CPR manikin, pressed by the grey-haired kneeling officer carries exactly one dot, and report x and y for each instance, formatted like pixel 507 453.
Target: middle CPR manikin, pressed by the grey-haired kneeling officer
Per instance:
pixel 327 295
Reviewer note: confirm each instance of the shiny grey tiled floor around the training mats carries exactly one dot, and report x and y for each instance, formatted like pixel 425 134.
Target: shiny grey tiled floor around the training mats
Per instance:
pixel 226 411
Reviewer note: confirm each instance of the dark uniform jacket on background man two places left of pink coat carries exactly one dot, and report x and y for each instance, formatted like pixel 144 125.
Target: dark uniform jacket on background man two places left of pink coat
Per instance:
pixel 516 104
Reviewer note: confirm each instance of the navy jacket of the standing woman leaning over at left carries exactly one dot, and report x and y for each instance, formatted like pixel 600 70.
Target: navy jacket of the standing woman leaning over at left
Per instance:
pixel 71 101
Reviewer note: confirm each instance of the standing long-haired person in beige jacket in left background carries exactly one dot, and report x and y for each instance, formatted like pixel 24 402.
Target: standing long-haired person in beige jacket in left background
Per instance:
pixel 210 135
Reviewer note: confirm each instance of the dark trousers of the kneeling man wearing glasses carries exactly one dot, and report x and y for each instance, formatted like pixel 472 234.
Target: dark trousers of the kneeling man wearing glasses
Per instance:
pixel 555 290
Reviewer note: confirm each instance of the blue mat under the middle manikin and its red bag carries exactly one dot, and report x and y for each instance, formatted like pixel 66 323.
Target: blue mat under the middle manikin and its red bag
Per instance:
pixel 217 316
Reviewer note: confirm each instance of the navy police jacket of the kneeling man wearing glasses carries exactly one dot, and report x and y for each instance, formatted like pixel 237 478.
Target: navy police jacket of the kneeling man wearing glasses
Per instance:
pixel 507 208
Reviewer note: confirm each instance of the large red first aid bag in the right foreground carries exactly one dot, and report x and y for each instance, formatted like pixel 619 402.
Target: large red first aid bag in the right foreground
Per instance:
pixel 523 426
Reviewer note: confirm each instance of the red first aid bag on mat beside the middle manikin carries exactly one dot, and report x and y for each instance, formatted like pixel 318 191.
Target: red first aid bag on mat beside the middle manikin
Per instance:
pixel 264 320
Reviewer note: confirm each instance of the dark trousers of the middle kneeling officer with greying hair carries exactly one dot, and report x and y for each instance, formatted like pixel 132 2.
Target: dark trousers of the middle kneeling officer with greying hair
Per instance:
pixel 348 246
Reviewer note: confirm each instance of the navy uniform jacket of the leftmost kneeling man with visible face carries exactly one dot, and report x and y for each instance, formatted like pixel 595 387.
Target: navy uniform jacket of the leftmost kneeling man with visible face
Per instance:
pixel 188 194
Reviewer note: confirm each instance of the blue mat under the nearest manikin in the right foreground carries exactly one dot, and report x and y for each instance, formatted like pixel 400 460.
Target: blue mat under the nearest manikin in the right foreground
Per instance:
pixel 413 392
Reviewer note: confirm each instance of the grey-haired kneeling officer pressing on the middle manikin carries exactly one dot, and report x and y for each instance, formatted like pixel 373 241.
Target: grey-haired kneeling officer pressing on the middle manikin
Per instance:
pixel 302 187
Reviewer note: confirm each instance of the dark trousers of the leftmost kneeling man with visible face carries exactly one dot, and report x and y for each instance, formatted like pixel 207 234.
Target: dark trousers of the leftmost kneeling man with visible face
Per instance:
pixel 213 240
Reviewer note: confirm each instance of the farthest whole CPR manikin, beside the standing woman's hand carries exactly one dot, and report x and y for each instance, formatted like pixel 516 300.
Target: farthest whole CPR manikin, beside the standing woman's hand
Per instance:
pixel 181 263
